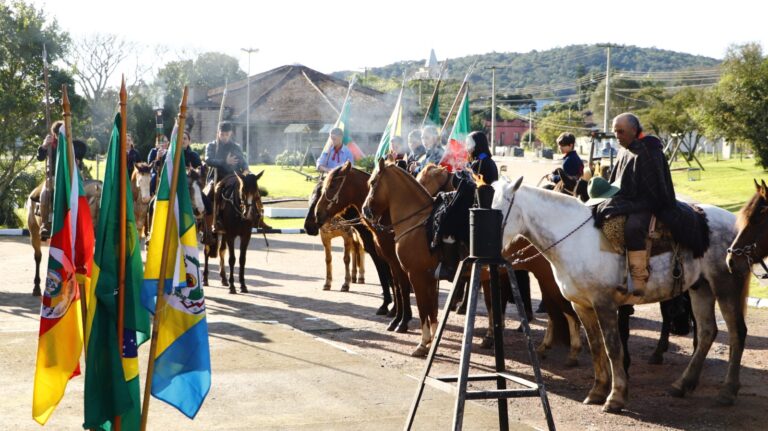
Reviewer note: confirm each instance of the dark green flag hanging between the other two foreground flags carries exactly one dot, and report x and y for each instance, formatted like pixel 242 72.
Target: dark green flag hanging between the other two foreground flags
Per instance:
pixel 112 379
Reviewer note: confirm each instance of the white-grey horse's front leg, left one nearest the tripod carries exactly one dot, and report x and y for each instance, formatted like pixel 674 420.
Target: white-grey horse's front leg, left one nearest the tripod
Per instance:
pixel 601 386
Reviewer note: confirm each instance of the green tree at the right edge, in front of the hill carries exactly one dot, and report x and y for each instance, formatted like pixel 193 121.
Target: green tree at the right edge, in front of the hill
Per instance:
pixel 737 108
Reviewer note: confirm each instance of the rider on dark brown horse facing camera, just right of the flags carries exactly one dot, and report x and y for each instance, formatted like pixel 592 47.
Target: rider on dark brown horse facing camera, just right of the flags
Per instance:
pixel 225 158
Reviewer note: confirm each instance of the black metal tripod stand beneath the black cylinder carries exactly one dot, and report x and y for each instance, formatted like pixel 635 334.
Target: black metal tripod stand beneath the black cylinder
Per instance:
pixel 501 393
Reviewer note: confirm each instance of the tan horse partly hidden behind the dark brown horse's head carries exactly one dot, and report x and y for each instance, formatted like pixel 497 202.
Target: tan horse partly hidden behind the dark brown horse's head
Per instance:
pixel 354 251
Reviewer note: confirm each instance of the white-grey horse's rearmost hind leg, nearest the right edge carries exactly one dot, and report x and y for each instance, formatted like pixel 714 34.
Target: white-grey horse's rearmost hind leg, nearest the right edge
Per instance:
pixel 731 302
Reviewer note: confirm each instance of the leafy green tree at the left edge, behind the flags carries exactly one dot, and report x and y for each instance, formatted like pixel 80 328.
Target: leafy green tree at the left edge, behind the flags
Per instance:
pixel 23 30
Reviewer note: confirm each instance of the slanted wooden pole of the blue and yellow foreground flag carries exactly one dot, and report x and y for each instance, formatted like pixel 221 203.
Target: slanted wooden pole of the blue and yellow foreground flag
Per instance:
pixel 170 222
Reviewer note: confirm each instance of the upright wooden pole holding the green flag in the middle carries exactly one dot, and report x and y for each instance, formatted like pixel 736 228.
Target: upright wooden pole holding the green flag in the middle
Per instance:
pixel 117 421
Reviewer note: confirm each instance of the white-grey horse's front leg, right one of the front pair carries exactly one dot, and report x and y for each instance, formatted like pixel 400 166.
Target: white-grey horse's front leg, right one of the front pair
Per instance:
pixel 607 316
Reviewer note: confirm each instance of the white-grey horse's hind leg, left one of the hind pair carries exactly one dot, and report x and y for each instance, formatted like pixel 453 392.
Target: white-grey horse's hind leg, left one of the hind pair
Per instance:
pixel 703 303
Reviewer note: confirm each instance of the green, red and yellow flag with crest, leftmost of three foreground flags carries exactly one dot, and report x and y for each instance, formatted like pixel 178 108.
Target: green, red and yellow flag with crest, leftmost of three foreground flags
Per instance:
pixel 69 264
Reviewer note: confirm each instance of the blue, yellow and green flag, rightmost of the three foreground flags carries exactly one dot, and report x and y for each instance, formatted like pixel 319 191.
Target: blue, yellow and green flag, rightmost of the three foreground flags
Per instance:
pixel 182 372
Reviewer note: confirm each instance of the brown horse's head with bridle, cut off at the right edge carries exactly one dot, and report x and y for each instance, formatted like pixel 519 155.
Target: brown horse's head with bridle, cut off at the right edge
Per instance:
pixel 751 241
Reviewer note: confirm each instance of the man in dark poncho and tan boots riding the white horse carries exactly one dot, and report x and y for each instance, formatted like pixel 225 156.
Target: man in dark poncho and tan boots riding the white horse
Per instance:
pixel 645 190
